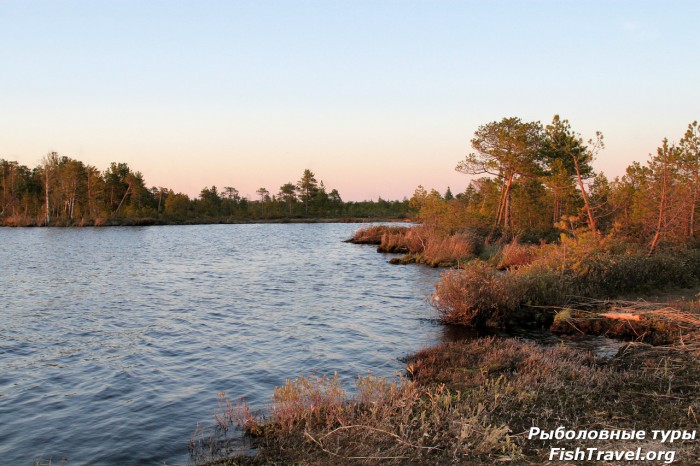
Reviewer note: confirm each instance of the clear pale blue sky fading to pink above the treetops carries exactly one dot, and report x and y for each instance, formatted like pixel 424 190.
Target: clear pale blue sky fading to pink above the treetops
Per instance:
pixel 375 97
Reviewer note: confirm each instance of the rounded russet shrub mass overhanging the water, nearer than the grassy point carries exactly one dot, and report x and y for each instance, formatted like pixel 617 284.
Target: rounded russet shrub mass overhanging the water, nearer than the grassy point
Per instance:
pixel 552 277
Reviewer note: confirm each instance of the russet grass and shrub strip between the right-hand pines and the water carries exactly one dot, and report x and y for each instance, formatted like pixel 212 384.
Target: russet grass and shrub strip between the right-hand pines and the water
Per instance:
pixel 513 284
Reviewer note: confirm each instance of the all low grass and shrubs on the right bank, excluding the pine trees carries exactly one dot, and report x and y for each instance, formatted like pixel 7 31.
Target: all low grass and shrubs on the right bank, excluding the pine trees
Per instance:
pixel 475 402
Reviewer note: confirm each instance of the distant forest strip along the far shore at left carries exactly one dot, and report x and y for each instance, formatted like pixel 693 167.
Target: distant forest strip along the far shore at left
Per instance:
pixel 62 191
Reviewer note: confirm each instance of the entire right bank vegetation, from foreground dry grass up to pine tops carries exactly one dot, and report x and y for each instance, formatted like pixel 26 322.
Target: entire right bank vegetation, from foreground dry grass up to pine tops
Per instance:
pixel 538 240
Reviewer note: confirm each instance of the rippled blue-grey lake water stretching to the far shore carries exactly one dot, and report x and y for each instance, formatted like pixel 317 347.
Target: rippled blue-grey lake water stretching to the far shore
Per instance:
pixel 115 341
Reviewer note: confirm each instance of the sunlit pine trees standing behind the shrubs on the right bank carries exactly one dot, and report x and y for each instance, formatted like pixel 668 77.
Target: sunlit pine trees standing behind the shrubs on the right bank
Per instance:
pixel 538 181
